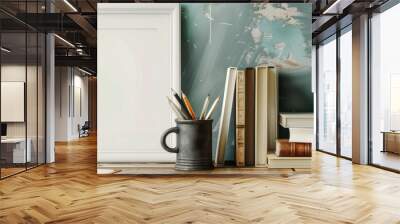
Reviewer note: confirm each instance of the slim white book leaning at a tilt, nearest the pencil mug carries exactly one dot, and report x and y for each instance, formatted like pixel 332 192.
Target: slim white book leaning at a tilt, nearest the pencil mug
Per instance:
pixel 226 113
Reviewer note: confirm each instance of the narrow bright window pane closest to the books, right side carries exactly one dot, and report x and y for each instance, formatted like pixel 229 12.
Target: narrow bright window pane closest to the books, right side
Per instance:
pixel 327 97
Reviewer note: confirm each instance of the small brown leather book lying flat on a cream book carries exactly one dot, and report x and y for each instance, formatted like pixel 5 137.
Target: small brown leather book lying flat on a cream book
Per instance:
pixel 284 148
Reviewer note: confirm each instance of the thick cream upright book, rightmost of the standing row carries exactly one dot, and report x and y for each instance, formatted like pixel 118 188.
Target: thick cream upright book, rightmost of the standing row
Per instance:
pixel 266 107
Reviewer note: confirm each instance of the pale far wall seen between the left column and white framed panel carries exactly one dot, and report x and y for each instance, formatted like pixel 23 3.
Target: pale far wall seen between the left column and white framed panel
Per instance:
pixel 69 82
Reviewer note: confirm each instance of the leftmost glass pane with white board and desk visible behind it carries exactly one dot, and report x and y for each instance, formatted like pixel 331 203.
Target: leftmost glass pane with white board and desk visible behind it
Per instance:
pixel 13 87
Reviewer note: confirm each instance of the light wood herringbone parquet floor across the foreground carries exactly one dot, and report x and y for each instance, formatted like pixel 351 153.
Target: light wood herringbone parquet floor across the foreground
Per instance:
pixel 69 191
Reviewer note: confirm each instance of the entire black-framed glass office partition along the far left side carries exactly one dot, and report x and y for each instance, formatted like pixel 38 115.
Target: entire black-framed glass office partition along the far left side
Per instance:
pixel 22 77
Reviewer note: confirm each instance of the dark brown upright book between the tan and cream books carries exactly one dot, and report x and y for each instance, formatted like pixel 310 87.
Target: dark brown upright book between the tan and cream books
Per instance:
pixel 249 116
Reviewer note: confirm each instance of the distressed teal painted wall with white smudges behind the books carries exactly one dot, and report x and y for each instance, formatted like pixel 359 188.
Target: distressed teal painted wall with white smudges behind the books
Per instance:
pixel 216 36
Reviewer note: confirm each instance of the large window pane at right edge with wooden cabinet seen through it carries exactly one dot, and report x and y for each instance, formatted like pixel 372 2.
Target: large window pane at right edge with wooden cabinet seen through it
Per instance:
pixel 385 114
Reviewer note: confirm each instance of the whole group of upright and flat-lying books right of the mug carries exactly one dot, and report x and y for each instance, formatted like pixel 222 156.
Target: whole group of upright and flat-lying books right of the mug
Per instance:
pixel 256 122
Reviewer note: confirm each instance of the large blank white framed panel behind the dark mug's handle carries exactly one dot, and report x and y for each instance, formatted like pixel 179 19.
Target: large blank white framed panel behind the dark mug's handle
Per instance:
pixel 138 63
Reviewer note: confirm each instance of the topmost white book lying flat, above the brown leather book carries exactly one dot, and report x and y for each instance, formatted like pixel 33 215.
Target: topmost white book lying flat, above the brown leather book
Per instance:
pixel 296 120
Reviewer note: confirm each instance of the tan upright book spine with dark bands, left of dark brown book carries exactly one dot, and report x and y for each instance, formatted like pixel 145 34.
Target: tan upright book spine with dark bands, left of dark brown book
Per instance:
pixel 240 118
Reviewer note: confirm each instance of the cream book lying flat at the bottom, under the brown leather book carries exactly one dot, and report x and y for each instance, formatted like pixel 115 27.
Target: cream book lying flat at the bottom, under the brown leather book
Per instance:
pixel 289 162
